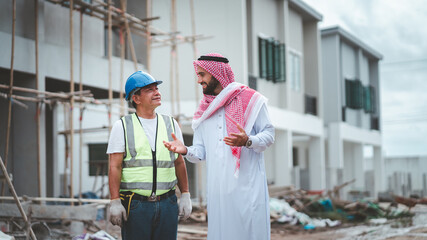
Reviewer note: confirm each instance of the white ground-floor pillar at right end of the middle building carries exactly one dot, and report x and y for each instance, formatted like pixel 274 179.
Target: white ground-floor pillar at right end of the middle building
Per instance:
pixel 316 163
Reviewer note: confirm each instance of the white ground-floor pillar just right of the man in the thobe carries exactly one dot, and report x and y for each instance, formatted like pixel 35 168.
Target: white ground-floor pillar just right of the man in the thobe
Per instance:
pixel 283 153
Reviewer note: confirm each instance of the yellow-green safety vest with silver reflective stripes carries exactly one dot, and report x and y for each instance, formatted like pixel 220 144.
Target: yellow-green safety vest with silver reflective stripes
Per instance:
pixel 145 171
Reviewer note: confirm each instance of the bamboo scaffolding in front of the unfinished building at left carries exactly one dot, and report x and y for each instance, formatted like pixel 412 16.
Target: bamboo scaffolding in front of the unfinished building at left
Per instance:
pixel 128 25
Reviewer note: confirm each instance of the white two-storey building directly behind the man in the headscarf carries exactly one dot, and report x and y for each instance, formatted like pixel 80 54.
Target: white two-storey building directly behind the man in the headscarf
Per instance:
pixel 274 47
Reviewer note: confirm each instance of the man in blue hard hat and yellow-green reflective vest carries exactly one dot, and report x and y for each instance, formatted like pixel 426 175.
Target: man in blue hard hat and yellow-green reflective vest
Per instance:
pixel 143 173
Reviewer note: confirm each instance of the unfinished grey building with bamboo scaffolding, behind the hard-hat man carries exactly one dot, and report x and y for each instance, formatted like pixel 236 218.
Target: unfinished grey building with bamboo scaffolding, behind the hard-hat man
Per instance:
pixel 62 73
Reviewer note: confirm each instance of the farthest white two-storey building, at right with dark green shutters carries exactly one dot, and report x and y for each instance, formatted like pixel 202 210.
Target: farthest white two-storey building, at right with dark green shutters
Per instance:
pixel 351 111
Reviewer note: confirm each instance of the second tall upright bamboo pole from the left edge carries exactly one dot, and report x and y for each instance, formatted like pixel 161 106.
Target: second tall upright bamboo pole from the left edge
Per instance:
pixel 36 22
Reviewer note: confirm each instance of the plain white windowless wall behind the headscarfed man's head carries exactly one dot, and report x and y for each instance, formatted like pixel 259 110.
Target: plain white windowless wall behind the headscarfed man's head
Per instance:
pixel 227 36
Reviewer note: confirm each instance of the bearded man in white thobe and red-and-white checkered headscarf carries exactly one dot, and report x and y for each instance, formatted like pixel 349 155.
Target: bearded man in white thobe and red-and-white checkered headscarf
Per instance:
pixel 231 130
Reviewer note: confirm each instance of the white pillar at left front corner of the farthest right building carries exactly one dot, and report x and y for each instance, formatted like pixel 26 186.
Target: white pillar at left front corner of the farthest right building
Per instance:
pixel 335 152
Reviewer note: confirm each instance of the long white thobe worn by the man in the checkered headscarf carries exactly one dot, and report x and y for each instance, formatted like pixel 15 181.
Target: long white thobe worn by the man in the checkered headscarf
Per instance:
pixel 238 208
